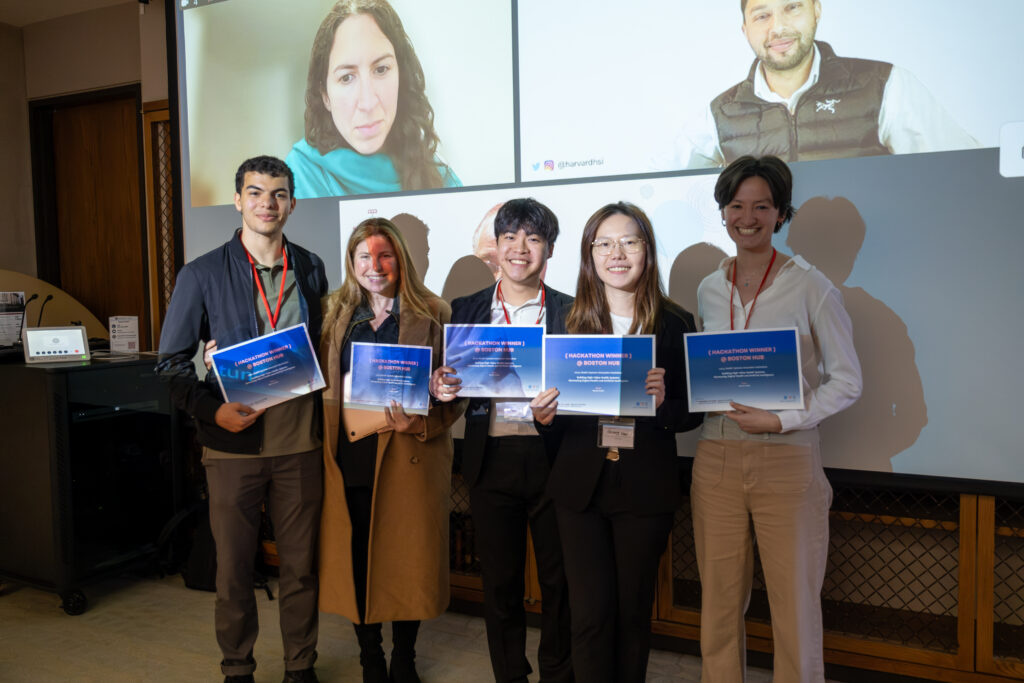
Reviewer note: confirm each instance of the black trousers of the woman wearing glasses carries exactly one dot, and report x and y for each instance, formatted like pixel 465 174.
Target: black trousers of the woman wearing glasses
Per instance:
pixel 612 559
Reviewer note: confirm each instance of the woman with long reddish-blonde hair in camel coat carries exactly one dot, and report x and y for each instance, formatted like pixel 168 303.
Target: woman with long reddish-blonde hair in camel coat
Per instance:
pixel 385 531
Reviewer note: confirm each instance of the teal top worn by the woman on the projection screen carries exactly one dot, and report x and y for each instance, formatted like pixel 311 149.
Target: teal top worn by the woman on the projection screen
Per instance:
pixel 346 172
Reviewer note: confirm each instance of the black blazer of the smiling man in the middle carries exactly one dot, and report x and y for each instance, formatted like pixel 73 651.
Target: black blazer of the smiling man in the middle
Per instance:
pixel 476 309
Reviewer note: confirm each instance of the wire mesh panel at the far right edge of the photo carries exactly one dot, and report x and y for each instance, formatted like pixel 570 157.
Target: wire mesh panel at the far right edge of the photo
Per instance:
pixel 1008 600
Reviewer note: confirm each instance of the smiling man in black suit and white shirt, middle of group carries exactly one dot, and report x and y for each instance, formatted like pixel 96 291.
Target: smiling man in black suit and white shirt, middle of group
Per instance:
pixel 505 461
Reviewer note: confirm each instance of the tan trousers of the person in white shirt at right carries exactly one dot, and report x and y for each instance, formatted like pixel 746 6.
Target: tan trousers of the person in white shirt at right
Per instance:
pixel 772 488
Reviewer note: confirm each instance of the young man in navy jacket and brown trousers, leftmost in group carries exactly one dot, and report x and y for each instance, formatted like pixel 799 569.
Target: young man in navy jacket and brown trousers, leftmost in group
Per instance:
pixel 255 284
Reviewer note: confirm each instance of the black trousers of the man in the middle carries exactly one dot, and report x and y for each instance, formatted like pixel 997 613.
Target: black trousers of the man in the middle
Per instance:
pixel 508 497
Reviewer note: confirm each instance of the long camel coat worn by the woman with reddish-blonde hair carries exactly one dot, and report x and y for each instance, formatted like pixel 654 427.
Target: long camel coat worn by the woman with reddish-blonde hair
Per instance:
pixel 408 571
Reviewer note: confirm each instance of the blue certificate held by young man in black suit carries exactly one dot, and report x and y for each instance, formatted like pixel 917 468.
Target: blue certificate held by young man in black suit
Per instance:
pixel 496 361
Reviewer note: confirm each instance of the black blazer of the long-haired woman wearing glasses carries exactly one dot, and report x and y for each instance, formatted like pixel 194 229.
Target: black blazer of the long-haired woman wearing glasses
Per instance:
pixel 651 471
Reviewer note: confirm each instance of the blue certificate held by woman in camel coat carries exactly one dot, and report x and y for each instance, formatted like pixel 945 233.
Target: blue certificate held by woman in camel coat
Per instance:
pixel 382 373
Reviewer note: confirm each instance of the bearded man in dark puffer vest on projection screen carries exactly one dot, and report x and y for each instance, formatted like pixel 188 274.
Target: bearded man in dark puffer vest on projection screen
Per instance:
pixel 800 102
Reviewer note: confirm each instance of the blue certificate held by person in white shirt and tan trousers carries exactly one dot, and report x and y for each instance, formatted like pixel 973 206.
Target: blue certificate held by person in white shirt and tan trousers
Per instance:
pixel 758 368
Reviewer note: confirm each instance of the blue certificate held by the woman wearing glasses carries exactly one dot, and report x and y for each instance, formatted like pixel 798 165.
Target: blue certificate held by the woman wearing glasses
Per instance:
pixel 601 374
